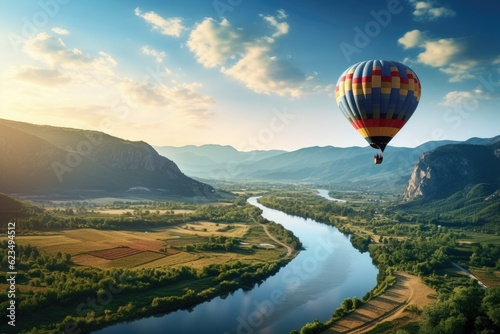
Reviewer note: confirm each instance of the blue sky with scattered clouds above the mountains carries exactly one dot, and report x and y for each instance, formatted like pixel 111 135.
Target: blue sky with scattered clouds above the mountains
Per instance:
pixel 253 74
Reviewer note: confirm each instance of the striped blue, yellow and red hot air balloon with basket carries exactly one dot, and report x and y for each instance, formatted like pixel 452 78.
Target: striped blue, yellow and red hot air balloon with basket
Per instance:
pixel 378 97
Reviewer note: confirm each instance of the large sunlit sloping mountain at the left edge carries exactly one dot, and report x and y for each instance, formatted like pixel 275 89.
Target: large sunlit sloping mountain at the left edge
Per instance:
pixel 44 159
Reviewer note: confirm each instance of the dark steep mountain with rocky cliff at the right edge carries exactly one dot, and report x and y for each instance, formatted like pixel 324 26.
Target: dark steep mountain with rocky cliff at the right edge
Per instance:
pixel 450 168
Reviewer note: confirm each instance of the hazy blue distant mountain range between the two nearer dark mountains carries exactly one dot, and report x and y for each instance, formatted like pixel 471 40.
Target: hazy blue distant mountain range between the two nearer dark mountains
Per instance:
pixel 342 167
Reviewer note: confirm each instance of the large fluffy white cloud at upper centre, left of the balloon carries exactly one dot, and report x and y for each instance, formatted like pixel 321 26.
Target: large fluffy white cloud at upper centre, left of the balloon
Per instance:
pixel 248 60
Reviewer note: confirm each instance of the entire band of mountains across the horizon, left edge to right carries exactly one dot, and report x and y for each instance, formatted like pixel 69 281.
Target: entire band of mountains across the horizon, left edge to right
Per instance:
pixel 37 159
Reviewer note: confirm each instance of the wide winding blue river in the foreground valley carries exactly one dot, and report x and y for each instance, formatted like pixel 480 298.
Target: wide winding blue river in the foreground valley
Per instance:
pixel 310 287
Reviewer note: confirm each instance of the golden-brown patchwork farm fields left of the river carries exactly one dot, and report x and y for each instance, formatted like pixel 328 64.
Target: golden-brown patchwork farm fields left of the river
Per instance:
pixel 106 249
